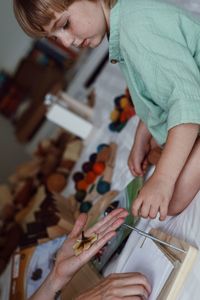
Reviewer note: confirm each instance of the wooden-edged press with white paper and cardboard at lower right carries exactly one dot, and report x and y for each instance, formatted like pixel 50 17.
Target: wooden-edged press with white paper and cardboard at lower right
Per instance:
pixel 165 268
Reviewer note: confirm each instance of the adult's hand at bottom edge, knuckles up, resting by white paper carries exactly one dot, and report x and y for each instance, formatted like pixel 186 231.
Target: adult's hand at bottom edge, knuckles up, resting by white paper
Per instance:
pixel 128 286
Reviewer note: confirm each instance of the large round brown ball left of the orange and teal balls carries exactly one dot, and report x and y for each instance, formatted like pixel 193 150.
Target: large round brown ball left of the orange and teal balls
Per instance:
pixel 56 182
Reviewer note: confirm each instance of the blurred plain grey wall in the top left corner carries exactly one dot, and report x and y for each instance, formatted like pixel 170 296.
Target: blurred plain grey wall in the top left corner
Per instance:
pixel 13 42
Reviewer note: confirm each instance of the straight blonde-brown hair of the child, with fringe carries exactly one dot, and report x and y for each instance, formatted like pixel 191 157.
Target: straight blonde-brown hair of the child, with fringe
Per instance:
pixel 33 15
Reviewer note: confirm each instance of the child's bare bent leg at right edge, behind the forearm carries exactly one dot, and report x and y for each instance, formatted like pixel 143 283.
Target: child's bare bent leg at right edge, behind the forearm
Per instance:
pixel 188 183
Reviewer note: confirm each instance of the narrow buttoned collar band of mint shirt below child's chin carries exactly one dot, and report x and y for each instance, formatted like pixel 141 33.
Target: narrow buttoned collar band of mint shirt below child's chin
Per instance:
pixel 114 49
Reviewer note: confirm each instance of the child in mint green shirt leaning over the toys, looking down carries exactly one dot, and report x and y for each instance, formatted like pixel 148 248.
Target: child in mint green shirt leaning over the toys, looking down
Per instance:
pixel 157 46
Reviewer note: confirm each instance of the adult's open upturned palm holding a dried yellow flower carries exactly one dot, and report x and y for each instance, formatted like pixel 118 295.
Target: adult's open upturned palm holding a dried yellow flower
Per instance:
pixel 67 264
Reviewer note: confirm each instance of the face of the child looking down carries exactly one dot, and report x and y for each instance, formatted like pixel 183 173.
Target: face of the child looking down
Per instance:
pixel 83 24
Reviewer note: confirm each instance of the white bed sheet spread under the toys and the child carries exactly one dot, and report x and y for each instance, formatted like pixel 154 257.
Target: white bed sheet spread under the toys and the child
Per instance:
pixel 185 226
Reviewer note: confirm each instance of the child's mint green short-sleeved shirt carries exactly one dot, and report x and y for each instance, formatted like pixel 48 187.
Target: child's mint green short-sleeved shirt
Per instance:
pixel 158 48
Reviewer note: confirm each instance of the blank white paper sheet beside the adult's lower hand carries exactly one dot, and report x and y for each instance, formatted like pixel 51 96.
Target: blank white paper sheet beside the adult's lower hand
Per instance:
pixel 149 260
